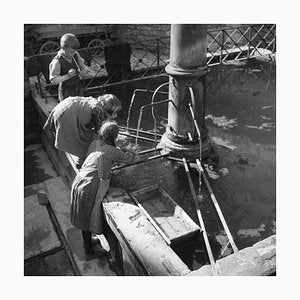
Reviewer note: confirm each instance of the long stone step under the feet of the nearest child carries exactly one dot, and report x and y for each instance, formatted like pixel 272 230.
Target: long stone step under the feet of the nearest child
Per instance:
pixel 59 197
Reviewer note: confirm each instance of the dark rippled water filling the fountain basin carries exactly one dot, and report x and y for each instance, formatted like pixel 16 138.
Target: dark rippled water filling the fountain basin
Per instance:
pixel 241 119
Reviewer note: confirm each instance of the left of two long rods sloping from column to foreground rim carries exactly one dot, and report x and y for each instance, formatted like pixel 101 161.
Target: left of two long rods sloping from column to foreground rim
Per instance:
pixel 209 251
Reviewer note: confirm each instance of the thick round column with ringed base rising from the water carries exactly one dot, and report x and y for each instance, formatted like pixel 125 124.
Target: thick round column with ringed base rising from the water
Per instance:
pixel 187 68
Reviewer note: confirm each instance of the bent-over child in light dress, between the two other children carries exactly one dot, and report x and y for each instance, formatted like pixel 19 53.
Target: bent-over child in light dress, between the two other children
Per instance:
pixel 76 120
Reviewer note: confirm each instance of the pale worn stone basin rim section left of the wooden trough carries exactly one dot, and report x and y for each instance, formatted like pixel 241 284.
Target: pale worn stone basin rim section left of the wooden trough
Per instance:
pixel 144 242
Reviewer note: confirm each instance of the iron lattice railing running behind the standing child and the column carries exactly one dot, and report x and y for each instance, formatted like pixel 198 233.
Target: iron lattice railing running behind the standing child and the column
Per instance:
pixel 148 58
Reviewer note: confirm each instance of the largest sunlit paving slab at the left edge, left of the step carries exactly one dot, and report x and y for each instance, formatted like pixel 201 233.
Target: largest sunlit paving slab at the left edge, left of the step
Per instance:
pixel 39 233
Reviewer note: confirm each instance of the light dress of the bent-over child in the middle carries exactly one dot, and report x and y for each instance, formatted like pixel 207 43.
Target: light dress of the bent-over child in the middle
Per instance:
pixel 71 121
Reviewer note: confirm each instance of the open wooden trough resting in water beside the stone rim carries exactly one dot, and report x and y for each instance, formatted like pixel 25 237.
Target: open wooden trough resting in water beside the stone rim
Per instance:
pixel 165 214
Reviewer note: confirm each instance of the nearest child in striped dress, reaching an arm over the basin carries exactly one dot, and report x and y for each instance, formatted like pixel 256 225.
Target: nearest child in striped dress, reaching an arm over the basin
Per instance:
pixel 92 183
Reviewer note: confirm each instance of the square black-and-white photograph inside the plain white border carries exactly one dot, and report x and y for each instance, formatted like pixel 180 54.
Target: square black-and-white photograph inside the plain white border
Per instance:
pixel 150 149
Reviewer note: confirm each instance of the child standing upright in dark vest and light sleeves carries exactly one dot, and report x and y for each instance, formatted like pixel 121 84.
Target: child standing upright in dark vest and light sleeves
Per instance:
pixel 67 68
